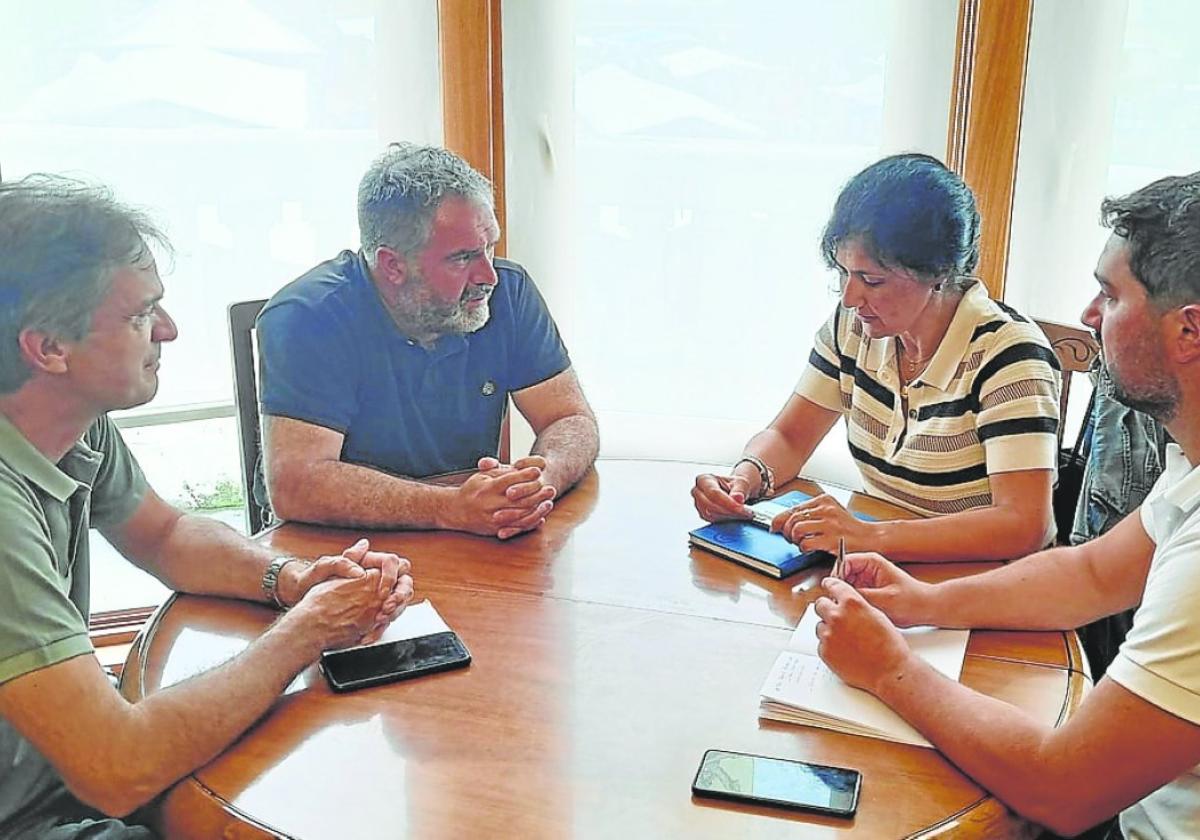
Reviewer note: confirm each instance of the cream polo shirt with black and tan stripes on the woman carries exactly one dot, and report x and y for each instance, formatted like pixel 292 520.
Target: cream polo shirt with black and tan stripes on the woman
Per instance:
pixel 988 403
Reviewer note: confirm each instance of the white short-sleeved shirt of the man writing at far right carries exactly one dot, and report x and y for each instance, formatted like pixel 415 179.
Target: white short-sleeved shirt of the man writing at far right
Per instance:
pixel 1160 661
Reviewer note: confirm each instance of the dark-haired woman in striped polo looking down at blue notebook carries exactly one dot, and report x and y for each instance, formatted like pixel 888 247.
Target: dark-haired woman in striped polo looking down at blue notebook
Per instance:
pixel 951 399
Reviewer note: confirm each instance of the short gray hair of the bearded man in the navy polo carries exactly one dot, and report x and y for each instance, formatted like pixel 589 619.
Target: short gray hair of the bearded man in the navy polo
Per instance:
pixel 401 193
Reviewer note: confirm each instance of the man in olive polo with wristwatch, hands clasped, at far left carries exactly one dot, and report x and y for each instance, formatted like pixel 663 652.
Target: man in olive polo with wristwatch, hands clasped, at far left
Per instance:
pixel 81 328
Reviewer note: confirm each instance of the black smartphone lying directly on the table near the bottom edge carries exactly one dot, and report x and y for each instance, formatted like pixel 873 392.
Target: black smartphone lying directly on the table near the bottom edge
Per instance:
pixel 778 782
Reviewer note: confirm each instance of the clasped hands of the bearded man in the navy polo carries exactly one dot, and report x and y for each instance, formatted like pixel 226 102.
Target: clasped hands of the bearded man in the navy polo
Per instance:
pixel 506 500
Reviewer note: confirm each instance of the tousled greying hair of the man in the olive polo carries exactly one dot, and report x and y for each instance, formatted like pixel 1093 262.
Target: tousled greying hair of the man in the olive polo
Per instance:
pixel 61 243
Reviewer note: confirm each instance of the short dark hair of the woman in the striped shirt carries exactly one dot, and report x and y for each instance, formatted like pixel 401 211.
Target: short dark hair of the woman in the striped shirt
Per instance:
pixel 910 213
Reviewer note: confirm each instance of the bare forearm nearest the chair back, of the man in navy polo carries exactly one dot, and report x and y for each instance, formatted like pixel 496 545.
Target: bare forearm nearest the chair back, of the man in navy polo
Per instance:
pixel 340 494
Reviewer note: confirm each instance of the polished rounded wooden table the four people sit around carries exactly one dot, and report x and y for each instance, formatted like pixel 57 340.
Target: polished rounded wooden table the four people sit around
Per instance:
pixel 608 658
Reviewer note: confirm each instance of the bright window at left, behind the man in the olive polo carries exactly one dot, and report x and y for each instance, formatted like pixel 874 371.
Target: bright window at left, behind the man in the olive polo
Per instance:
pixel 244 128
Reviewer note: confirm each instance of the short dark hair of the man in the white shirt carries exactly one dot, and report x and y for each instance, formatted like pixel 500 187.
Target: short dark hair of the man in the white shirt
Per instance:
pixel 1161 225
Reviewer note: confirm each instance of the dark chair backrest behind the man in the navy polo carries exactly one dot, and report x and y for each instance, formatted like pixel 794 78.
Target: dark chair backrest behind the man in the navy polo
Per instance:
pixel 245 398
